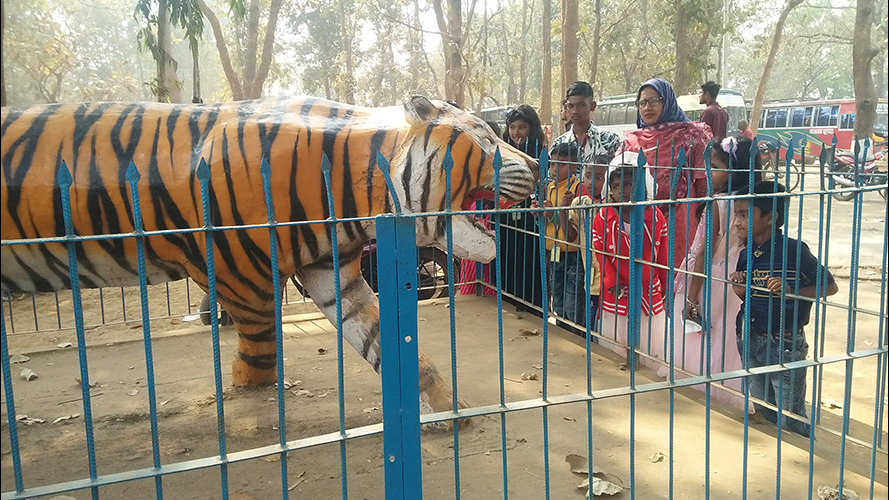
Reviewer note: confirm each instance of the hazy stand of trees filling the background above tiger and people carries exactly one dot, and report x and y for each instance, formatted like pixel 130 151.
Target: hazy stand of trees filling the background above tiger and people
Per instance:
pixel 478 52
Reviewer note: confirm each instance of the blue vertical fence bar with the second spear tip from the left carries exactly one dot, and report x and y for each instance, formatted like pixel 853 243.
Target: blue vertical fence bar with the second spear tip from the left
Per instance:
pixel 133 180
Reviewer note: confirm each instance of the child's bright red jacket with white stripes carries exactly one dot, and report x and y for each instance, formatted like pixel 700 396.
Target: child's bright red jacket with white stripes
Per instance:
pixel 610 238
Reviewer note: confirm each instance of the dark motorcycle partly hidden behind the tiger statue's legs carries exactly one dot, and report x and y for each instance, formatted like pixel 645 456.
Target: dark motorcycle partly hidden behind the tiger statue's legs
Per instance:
pixel 432 278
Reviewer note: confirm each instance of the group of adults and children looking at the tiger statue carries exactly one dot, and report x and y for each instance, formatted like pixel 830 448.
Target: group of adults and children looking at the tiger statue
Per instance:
pixel 698 307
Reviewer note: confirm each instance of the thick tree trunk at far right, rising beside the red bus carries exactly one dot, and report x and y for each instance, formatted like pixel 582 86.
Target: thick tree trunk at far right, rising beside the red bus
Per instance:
pixel 862 76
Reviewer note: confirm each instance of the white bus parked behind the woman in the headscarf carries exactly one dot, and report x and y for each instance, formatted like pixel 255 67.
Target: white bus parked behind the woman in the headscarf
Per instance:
pixel 618 113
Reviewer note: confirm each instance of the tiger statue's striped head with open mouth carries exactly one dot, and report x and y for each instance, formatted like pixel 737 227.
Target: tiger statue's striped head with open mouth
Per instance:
pixel 419 176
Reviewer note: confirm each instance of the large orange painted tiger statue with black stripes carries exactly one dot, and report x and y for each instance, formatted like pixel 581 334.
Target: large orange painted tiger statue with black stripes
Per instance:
pixel 167 142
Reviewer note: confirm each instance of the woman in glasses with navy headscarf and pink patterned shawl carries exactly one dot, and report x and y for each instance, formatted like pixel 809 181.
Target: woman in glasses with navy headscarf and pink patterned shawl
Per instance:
pixel 662 129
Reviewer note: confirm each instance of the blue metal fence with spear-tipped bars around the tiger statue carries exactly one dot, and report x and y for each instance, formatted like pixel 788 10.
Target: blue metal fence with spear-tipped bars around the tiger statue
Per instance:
pixel 400 335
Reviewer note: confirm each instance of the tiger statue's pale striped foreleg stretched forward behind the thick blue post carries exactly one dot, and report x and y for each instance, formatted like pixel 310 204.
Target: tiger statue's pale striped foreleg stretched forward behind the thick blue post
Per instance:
pixel 361 321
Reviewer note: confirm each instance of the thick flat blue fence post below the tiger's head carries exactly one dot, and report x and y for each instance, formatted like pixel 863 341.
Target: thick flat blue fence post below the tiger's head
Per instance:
pixel 399 369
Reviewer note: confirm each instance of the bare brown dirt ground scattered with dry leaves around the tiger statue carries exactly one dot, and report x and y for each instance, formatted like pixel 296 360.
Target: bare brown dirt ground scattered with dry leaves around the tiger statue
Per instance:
pixel 183 365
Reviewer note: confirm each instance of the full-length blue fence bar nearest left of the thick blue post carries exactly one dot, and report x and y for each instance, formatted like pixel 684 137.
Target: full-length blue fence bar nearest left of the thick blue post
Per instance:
pixel 334 250
